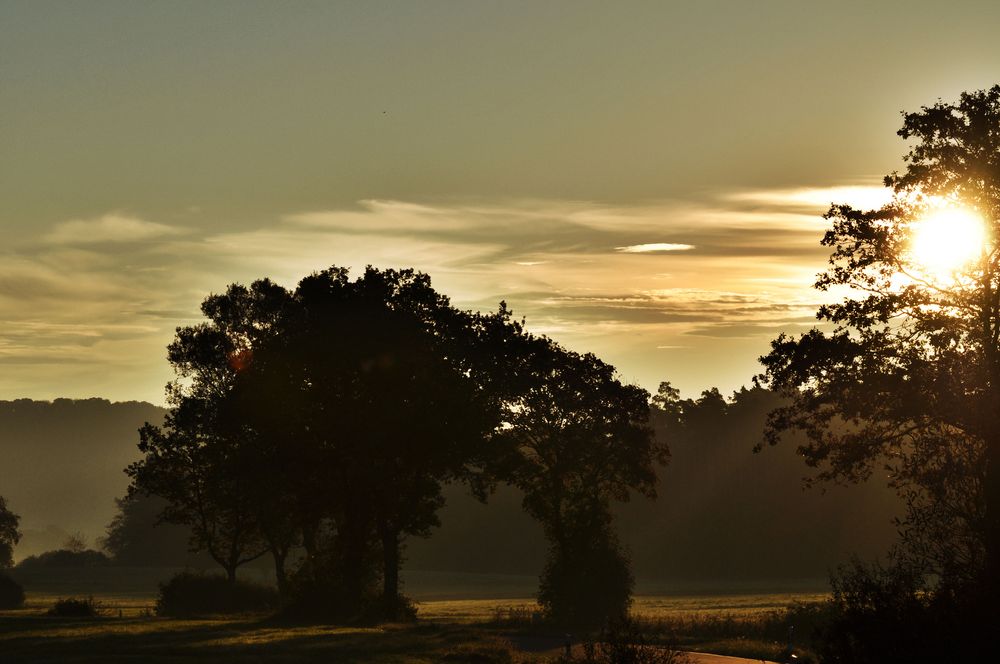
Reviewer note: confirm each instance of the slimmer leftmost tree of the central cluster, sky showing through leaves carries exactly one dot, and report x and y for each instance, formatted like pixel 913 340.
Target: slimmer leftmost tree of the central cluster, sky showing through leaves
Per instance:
pixel 194 461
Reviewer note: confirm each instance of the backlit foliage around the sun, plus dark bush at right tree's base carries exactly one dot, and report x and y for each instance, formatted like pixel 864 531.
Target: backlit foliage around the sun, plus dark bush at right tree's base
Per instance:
pixel 909 379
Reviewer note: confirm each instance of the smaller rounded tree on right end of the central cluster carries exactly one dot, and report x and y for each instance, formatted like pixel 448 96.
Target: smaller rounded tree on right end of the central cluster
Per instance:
pixel 580 439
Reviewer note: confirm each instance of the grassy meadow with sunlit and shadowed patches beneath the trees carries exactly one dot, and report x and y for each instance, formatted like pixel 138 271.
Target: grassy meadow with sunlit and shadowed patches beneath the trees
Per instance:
pixel 449 629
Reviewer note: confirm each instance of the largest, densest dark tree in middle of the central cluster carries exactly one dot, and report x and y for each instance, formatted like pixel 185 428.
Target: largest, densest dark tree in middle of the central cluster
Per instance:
pixel 377 381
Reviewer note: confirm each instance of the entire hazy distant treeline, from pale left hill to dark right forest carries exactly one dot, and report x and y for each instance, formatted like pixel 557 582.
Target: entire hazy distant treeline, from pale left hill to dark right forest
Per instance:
pixel 723 512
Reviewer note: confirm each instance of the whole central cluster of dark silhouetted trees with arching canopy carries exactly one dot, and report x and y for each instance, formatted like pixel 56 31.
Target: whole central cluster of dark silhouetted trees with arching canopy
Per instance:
pixel 326 420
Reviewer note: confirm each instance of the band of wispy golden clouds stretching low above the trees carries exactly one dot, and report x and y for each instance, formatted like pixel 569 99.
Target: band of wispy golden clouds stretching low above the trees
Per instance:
pixel 89 306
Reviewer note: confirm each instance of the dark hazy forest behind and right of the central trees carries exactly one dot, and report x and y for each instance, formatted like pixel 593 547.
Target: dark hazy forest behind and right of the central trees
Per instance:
pixel 723 512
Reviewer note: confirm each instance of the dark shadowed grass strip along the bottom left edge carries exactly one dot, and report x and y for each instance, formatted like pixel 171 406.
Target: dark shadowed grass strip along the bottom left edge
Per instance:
pixel 159 641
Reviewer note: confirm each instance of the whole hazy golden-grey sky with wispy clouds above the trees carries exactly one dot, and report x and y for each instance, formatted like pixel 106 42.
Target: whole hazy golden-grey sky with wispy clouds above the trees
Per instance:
pixel 641 180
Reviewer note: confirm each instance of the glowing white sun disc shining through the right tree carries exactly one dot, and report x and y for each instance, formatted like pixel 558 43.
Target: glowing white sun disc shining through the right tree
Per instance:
pixel 946 240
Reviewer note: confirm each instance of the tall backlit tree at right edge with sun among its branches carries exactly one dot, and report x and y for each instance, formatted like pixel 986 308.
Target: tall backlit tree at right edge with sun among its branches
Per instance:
pixel 906 374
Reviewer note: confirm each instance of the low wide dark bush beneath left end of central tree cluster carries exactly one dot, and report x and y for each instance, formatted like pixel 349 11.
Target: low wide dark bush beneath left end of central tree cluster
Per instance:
pixel 188 594
